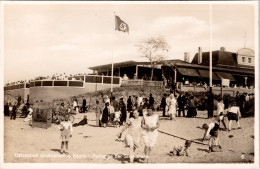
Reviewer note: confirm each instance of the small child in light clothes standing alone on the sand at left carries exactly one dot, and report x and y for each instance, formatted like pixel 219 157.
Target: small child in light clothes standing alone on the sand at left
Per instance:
pixel 66 132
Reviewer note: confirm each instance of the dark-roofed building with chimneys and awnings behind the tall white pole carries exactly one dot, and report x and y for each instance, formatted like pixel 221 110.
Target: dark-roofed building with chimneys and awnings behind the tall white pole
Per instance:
pixel 237 67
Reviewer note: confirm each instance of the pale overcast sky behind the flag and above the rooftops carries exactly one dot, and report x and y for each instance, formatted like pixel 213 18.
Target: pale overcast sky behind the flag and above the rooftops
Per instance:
pixel 44 39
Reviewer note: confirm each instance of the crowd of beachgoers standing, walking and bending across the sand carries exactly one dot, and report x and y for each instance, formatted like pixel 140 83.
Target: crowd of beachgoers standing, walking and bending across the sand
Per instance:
pixel 137 116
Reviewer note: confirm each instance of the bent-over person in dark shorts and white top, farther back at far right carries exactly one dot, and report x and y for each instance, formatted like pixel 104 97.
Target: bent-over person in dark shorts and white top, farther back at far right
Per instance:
pixel 233 114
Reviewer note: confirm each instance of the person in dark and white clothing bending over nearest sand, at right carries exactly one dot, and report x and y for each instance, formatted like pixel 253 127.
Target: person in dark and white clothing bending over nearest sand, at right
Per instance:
pixel 210 130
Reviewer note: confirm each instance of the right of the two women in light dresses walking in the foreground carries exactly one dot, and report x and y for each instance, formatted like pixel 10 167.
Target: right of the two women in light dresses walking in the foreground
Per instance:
pixel 150 124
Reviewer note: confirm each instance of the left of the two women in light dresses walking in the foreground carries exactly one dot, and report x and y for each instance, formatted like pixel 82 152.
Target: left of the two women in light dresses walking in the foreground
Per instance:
pixel 134 133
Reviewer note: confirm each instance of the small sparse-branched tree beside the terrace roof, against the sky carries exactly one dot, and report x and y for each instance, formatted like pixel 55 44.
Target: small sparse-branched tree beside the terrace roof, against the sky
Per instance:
pixel 154 49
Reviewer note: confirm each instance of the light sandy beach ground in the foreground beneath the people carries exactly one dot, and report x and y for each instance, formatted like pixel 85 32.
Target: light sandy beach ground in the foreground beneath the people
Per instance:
pixel 90 144
